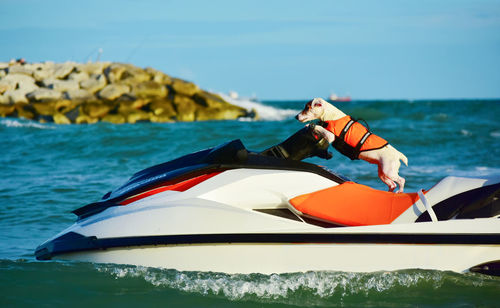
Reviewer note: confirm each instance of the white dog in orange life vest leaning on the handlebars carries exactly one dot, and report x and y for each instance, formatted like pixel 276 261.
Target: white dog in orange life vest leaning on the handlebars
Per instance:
pixel 362 143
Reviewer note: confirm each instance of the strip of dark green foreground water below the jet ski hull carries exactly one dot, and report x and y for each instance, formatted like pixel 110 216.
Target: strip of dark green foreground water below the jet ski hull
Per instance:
pixel 26 281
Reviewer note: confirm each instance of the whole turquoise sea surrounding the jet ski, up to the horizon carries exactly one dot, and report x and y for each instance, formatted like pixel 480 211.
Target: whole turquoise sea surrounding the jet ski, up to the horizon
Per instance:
pixel 49 170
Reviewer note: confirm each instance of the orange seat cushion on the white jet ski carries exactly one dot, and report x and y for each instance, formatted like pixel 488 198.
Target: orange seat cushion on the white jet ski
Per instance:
pixel 353 204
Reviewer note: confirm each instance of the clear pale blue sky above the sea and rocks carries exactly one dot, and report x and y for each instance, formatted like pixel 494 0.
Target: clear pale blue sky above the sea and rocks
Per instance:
pixel 385 49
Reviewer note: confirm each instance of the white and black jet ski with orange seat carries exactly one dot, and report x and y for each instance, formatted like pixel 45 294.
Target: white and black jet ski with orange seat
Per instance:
pixel 232 210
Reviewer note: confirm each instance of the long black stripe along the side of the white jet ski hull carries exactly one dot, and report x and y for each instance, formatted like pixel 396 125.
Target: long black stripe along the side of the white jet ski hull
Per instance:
pixel 74 242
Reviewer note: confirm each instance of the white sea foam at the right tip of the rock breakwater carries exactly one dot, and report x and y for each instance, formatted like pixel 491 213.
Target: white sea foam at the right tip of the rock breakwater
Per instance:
pixel 265 112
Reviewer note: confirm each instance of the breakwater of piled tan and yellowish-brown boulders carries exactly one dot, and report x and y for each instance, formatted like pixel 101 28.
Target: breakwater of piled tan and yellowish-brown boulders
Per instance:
pixel 70 92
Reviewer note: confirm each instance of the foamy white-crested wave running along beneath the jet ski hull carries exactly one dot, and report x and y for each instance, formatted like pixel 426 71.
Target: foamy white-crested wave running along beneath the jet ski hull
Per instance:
pixel 311 288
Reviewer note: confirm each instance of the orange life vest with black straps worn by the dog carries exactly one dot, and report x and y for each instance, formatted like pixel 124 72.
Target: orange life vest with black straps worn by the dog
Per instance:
pixel 352 137
